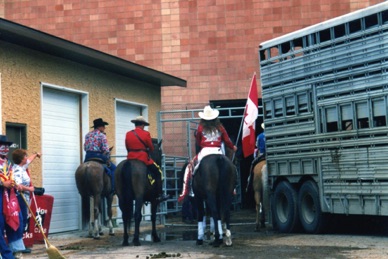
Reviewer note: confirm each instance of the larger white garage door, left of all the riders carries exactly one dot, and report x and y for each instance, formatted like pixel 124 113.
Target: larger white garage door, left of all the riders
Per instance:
pixel 61 156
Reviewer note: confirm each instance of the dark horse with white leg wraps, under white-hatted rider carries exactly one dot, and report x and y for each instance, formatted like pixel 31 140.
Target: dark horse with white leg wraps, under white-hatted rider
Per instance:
pixel 213 183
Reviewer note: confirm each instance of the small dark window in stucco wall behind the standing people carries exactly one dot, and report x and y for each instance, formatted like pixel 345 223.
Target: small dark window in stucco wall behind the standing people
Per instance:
pixel 17 133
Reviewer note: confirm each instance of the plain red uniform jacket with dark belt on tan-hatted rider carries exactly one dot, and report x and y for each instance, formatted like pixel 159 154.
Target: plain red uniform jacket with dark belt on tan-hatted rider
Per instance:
pixel 136 149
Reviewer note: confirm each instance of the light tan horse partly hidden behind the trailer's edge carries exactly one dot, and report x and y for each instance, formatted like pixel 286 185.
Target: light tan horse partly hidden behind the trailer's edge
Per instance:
pixel 260 188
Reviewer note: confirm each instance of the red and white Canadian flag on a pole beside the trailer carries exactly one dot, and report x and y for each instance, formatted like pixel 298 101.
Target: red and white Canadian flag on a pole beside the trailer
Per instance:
pixel 250 116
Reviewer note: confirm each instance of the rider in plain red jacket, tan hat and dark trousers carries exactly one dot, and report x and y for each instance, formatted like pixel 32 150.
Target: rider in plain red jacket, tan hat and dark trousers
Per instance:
pixel 139 145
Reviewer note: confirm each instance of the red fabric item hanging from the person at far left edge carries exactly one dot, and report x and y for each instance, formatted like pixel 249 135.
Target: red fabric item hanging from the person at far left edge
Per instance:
pixel 11 209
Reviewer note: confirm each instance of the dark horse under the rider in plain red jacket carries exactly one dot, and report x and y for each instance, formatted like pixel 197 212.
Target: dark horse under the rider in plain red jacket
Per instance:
pixel 132 185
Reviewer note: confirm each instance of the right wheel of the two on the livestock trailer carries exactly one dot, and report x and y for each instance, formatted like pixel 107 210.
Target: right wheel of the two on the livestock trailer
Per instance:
pixel 310 214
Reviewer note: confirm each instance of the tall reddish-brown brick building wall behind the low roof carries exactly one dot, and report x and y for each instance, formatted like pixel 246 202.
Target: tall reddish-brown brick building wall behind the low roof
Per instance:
pixel 213 44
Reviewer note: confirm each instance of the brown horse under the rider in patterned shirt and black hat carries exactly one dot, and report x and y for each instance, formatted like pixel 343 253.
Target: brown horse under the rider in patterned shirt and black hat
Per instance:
pixel 92 181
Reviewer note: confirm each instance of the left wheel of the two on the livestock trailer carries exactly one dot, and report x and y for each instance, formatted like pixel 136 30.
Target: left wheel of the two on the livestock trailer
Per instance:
pixel 284 209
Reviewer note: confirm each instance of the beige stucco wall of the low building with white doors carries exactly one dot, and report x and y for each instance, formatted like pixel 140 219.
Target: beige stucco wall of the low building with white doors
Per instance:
pixel 22 71
